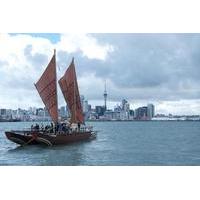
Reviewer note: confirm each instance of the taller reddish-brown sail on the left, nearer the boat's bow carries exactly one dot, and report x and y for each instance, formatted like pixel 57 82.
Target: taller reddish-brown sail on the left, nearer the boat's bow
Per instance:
pixel 46 87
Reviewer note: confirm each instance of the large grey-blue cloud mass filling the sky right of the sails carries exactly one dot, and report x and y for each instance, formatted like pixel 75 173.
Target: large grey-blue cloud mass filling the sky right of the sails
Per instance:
pixel 160 66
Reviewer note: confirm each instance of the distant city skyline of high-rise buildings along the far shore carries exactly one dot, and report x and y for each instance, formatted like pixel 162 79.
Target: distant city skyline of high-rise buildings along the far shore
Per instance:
pixel 121 112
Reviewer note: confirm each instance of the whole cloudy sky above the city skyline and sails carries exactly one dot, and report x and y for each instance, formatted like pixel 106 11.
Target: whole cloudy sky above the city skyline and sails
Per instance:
pixel 163 69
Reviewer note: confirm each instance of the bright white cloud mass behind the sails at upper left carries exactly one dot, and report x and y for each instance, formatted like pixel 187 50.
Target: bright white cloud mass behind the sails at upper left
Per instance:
pixel 24 57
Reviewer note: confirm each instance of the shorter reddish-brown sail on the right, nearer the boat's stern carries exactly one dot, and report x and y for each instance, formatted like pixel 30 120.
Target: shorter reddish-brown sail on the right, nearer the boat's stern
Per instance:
pixel 69 86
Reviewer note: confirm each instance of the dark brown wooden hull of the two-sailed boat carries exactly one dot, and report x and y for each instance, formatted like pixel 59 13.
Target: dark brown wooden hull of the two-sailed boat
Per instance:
pixel 31 138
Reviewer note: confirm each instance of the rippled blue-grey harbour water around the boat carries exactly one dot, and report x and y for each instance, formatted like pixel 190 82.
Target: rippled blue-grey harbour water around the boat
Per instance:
pixel 118 143
